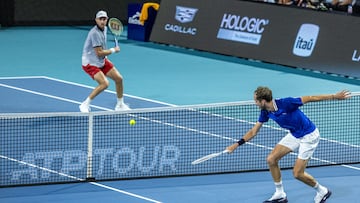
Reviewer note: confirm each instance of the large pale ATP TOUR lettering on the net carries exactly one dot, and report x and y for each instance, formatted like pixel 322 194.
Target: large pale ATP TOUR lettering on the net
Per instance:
pixel 145 161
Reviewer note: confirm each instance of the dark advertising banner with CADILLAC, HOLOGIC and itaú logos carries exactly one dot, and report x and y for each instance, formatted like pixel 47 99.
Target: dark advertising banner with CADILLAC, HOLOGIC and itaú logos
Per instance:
pixel 295 37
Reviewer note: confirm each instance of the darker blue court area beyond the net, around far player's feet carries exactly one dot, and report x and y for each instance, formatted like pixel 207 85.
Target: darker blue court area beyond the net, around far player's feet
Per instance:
pixel 44 94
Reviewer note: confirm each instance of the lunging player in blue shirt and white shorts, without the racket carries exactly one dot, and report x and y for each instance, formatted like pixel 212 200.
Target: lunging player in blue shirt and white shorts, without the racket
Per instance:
pixel 303 137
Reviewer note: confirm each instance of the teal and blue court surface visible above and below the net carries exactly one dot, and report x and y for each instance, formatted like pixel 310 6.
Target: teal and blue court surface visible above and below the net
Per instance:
pixel 47 77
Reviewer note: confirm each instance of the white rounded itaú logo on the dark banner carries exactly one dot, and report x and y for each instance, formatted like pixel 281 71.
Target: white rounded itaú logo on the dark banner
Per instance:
pixel 305 40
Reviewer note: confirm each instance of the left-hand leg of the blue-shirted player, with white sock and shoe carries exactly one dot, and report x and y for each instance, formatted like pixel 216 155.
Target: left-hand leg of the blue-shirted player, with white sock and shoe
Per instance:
pixel 273 161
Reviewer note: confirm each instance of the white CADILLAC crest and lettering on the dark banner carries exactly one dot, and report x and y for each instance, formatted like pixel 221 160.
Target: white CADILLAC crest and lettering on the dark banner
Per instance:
pixel 183 15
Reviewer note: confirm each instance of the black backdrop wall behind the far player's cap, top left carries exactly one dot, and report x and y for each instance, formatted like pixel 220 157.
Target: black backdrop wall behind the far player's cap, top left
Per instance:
pixel 60 12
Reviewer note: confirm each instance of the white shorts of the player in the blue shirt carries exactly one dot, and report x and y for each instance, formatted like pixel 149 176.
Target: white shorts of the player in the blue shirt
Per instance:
pixel 305 145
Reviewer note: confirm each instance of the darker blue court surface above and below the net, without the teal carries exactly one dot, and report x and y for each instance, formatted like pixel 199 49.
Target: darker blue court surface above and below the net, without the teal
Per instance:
pixel 52 95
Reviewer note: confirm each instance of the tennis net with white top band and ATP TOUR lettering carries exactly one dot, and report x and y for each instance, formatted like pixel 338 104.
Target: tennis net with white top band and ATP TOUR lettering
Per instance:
pixel 42 148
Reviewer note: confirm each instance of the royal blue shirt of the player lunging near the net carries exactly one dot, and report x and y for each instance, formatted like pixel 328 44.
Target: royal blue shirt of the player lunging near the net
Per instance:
pixel 288 115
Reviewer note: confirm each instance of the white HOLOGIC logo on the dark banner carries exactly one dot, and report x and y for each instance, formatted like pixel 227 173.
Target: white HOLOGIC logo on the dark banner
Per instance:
pixel 242 28
